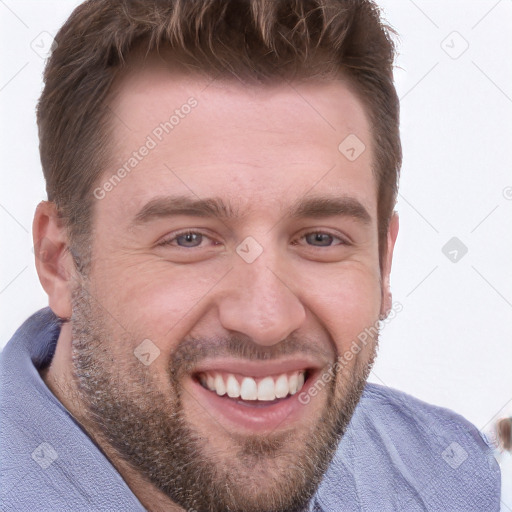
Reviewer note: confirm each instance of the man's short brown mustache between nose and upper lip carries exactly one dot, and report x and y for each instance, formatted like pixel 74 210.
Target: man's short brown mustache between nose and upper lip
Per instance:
pixel 193 350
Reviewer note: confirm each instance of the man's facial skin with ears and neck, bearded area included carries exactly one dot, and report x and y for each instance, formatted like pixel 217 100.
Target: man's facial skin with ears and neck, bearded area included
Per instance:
pixel 261 149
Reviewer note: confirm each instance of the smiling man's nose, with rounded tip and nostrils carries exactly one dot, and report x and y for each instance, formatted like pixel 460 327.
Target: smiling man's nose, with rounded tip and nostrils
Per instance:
pixel 260 304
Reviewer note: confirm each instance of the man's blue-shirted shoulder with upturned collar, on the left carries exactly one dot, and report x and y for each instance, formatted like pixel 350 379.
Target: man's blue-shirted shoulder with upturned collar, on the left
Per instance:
pixel 46 457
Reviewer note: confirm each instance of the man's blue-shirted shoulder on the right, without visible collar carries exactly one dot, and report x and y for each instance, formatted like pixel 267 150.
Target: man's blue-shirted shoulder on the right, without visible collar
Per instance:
pixel 400 453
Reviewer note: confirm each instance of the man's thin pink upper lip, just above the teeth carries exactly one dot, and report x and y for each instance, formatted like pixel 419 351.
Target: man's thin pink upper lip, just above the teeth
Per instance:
pixel 260 368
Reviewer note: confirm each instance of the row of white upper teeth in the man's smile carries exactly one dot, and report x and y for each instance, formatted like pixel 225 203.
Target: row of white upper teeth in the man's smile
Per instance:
pixel 249 388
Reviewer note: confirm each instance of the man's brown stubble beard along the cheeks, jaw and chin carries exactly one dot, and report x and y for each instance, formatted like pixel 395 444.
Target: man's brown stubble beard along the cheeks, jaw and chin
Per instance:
pixel 148 429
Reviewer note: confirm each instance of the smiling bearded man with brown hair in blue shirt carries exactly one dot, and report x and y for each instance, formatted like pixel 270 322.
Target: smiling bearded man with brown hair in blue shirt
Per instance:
pixel 216 248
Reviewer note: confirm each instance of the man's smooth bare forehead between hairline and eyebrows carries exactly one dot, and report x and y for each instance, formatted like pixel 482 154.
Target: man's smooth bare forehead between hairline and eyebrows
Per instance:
pixel 260 145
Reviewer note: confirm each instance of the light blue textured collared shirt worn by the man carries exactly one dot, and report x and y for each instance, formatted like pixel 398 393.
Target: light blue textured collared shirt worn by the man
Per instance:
pixel 398 453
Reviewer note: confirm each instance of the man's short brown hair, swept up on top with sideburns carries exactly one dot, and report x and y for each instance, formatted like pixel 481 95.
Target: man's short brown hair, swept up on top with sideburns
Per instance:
pixel 250 39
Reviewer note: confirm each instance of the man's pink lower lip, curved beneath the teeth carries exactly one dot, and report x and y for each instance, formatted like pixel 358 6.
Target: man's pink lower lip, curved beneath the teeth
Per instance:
pixel 257 417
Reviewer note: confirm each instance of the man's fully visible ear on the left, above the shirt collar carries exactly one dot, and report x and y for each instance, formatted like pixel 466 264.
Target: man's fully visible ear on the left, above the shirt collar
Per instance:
pixel 54 262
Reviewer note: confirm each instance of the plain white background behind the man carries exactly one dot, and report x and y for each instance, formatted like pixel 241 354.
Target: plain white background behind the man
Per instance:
pixel 452 343
